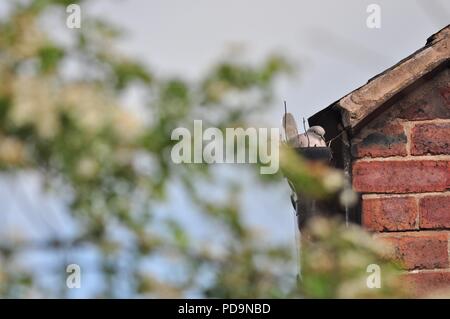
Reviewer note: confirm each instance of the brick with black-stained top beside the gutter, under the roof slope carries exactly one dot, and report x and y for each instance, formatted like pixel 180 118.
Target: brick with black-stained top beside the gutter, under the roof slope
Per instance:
pixel 389 140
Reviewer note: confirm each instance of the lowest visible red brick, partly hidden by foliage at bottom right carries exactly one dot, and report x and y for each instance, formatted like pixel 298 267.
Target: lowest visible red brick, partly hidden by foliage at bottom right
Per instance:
pixel 426 283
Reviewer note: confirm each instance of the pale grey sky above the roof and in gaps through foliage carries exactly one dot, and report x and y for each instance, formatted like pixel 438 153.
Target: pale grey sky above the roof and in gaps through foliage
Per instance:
pixel 328 40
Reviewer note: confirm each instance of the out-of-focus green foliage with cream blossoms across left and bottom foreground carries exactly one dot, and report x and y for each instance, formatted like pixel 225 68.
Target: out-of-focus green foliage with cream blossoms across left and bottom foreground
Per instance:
pixel 61 115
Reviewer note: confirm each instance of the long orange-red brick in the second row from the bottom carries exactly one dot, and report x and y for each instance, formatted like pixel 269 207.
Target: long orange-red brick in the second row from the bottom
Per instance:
pixel 420 250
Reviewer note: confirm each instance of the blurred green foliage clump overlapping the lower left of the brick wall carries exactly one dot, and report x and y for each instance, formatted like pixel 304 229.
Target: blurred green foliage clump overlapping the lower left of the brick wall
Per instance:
pixel 335 260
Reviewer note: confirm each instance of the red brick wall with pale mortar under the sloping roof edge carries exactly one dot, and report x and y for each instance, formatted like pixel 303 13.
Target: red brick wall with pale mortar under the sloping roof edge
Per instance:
pixel 401 165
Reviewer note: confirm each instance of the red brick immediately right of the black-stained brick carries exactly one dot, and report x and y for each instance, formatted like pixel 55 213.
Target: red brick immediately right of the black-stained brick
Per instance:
pixel 430 138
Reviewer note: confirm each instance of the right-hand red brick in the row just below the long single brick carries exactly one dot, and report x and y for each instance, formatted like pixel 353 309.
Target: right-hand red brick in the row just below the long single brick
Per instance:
pixel 435 212
